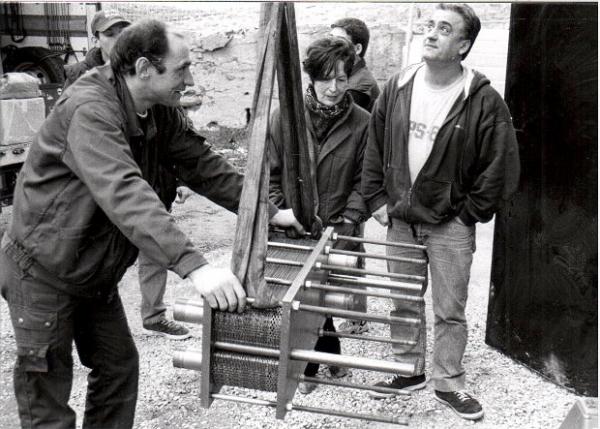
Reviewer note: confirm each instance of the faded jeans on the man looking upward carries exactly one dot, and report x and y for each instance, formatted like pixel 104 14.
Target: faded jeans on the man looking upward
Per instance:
pixel 449 253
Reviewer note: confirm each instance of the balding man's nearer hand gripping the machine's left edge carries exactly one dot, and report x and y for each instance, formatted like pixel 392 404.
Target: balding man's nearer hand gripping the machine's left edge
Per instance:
pixel 220 287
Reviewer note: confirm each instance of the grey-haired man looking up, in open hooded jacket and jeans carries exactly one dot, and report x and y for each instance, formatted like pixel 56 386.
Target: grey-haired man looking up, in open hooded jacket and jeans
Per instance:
pixel 441 156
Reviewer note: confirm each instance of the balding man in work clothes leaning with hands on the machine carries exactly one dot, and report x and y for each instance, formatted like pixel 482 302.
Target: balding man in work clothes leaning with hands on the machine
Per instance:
pixel 85 202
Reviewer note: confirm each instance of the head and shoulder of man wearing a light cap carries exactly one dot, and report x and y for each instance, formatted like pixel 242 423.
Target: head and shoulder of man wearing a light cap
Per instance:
pixel 105 30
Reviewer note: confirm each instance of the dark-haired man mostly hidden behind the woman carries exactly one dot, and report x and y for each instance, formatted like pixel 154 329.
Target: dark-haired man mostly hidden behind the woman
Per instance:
pixel 362 85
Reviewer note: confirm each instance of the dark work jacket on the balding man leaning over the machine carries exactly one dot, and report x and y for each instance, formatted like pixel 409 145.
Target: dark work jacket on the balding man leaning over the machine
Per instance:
pixel 85 198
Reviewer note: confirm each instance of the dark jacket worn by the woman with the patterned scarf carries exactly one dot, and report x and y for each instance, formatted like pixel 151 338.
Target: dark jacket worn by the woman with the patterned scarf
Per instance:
pixel 337 164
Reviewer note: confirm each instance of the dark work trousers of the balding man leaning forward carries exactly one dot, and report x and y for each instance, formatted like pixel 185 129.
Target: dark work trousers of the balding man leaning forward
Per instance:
pixel 46 322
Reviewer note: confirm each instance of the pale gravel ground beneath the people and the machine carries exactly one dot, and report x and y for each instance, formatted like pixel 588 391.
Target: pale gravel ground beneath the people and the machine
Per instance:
pixel 512 395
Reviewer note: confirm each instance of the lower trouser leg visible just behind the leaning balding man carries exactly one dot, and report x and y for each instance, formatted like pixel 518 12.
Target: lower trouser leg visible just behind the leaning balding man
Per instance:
pixel 153 283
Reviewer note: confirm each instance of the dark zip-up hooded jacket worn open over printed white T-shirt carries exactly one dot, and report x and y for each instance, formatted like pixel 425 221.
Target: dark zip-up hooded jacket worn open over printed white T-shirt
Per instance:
pixel 473 166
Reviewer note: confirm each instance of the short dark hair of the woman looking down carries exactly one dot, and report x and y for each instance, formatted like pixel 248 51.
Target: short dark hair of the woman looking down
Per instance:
pixel 323 54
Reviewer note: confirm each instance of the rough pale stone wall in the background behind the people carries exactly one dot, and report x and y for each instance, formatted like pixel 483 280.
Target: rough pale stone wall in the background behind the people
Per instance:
pixel 225 69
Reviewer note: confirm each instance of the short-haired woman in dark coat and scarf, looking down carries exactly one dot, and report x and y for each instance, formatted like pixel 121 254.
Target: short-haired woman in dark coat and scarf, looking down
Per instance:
pixel 337 132
